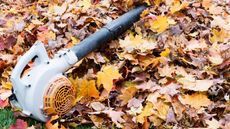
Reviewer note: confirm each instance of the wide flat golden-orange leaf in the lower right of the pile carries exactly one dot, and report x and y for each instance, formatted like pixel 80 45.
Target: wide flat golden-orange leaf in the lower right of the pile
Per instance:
pixel 195 100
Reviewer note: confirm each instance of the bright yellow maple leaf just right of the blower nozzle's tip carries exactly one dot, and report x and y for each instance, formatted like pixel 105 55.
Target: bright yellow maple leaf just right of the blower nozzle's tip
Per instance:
pixel 160 24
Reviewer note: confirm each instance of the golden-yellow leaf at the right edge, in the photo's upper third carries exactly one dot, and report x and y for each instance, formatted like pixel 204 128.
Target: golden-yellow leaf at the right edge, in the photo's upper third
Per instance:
pixel 218 35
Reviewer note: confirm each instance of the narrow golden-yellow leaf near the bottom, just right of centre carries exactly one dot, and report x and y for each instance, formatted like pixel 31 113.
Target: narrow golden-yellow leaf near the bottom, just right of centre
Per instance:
pixel 147 111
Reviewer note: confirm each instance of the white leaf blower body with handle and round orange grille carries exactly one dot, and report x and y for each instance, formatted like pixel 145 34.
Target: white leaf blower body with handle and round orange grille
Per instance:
pixel 44 90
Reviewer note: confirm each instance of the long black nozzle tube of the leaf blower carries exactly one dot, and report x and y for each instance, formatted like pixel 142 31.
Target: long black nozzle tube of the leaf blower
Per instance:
pixel 110 31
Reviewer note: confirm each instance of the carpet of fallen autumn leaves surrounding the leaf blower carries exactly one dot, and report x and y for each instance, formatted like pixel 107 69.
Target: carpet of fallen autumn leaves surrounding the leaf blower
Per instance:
pixel 170 70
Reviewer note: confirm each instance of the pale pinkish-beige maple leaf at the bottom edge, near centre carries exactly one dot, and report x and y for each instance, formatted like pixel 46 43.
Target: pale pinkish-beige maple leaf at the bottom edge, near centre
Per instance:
pixel 116 117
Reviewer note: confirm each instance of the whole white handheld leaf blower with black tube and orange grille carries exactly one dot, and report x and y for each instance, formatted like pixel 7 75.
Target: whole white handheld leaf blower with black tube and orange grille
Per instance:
pixel 44 90
